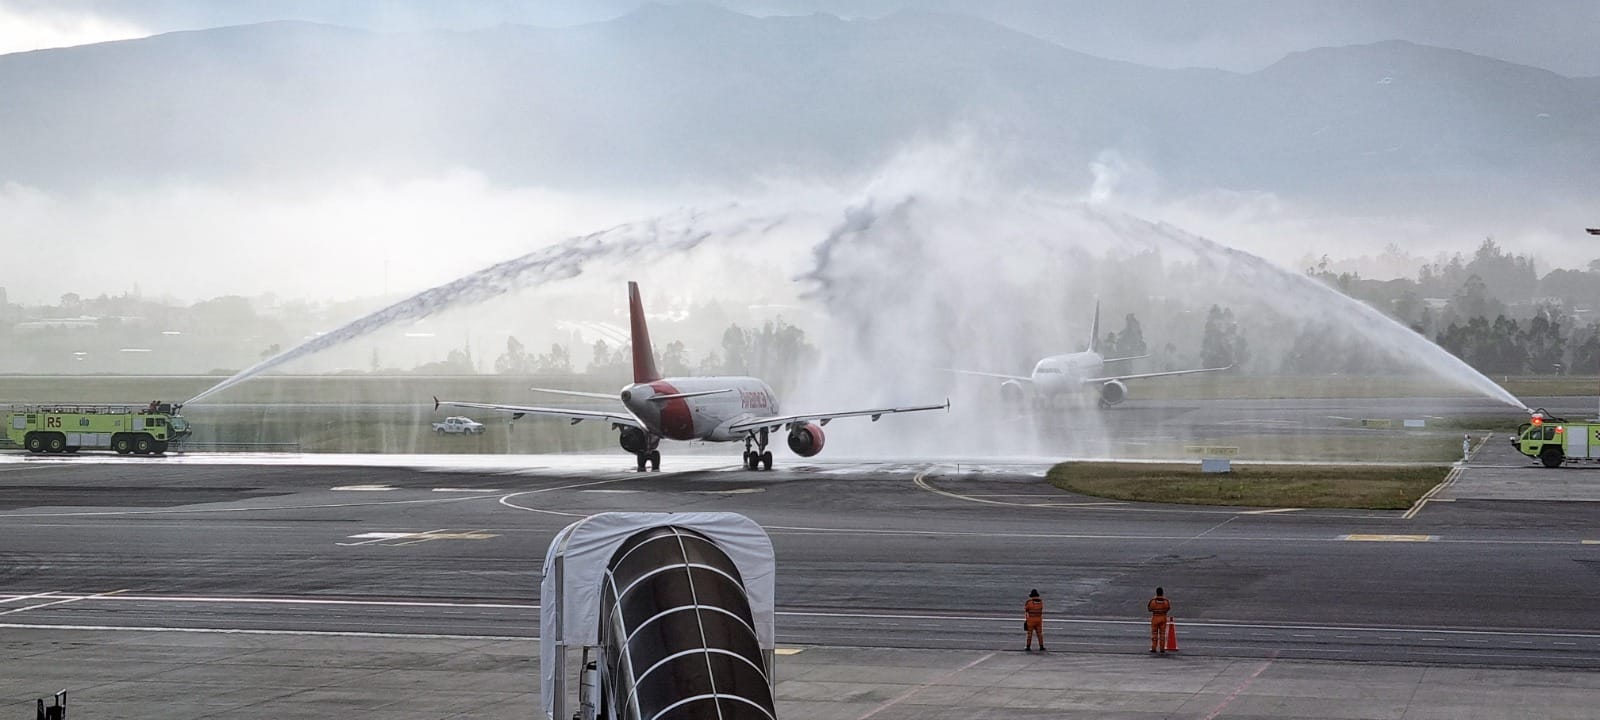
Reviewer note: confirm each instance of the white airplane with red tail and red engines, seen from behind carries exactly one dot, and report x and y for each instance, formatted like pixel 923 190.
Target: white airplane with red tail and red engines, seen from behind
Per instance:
pixel 694 409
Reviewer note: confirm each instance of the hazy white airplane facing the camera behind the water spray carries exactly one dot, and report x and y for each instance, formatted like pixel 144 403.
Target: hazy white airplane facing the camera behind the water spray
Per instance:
pixel 1076 374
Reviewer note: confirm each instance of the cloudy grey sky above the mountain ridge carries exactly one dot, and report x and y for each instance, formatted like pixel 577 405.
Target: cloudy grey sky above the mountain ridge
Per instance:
pixel 1231 34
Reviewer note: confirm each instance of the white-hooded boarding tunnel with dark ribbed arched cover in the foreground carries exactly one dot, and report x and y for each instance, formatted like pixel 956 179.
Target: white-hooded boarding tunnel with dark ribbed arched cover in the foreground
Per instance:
pixel 673 614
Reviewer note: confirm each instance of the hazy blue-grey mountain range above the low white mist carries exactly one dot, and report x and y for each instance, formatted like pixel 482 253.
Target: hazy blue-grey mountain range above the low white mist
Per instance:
pixel 700 95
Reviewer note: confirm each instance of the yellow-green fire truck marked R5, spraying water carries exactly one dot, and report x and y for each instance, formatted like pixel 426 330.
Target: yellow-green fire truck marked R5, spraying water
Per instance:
pixel 140 430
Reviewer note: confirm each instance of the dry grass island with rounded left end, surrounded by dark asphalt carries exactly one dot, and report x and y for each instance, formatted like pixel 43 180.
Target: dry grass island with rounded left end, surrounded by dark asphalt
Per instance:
pixel 1353 487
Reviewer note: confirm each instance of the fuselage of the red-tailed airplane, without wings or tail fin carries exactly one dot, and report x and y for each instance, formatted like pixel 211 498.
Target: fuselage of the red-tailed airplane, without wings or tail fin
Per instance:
pixel 705 417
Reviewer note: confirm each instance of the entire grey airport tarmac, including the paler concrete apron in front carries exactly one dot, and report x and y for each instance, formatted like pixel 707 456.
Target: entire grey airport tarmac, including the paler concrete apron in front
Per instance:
pixel 134 580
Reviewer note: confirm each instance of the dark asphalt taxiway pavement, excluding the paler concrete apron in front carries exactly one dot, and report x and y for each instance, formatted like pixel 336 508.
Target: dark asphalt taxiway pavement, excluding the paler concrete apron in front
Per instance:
pixel 878 556
